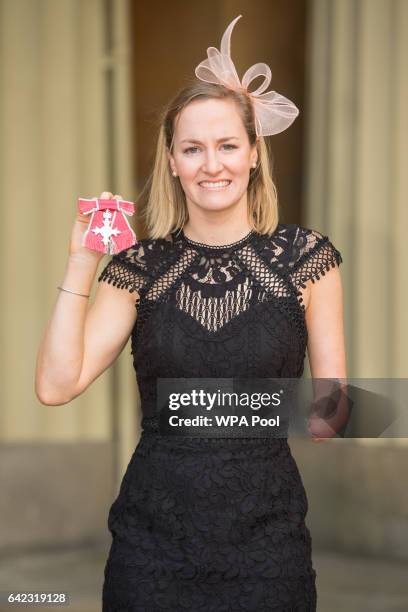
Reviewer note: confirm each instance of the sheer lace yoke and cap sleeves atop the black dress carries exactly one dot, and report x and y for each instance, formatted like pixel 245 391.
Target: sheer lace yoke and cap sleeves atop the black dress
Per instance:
pixel 215 284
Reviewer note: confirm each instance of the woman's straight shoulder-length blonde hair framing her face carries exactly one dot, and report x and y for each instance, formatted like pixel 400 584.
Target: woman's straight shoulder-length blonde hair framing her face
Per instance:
pixel 166 210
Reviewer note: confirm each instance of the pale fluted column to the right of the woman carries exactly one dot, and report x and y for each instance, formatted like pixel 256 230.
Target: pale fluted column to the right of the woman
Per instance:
pixel 357 156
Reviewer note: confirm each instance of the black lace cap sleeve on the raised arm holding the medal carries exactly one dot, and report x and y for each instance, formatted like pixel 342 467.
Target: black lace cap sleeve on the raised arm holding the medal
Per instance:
pixel 127 269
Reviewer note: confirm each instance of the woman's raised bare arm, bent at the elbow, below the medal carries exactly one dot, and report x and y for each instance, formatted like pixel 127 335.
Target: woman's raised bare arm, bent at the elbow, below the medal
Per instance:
pixel 82 341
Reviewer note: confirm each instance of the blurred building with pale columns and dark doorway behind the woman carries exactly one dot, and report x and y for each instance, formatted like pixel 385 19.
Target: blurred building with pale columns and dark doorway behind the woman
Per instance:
pixel 82 86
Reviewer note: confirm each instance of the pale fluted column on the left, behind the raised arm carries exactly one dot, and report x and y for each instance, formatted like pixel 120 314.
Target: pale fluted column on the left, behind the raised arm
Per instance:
pixel 64 125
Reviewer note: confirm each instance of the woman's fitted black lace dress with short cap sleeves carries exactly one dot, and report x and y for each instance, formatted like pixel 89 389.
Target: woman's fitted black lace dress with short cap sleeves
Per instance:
pixel 207 524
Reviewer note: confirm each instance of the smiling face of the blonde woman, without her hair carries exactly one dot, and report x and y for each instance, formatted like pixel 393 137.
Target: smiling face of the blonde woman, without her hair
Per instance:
pixel 212 155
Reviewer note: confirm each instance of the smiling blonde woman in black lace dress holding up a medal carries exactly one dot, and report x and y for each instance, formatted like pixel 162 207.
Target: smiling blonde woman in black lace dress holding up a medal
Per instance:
pixel 219 289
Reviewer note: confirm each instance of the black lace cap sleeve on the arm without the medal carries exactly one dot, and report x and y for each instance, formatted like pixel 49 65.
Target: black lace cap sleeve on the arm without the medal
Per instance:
pixel 316 255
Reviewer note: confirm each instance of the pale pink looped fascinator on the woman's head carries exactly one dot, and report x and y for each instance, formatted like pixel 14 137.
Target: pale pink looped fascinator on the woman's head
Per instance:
pixel 273 112
